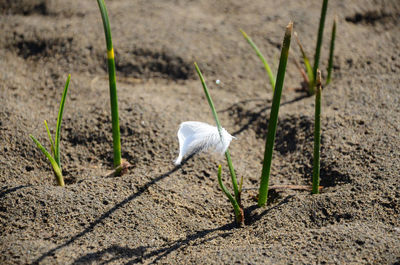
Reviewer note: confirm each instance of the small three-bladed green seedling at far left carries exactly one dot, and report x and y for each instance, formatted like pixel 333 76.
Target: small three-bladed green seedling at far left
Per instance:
pixel 54 156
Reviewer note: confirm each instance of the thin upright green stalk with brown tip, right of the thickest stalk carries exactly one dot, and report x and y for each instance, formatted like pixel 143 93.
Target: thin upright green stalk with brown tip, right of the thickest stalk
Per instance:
pixel 317 135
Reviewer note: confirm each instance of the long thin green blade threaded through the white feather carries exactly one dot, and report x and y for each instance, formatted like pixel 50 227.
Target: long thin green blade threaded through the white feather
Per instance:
pixel 227 154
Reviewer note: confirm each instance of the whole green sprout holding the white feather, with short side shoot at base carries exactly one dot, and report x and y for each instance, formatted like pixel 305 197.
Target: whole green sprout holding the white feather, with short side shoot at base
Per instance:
pixel 235 200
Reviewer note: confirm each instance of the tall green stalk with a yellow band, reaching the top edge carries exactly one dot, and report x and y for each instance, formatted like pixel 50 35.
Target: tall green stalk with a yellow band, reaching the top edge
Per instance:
pixel 113 85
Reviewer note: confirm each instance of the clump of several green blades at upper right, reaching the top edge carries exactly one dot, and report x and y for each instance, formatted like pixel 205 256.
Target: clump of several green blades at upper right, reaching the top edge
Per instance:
pixel 310 78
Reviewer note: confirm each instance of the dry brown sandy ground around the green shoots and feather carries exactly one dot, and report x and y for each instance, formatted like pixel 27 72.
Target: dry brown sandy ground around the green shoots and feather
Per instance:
pixel 159 213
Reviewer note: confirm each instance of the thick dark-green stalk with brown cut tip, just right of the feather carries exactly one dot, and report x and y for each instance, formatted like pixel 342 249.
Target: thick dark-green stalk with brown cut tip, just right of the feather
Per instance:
pixel 273 120
